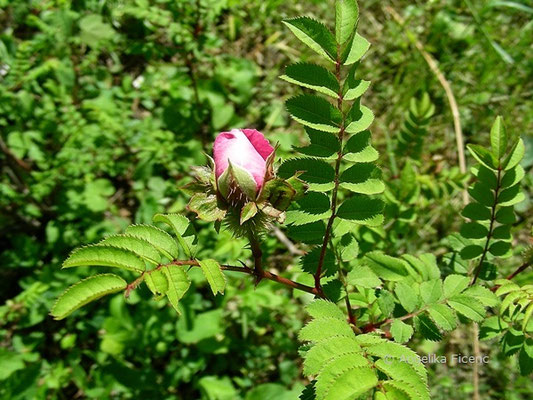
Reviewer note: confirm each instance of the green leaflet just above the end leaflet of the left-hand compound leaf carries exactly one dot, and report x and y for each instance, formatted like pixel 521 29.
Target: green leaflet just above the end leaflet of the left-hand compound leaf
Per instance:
pixel 105 256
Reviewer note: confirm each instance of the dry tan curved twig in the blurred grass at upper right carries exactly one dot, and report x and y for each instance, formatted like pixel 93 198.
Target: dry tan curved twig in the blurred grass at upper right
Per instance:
pixel 433 66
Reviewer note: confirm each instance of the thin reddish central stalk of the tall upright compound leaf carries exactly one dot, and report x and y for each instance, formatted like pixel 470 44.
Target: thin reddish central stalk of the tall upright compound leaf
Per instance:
pixel 329 226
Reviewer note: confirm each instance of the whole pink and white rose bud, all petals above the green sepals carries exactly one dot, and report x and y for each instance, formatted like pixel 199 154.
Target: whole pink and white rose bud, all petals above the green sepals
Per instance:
pixel 244 148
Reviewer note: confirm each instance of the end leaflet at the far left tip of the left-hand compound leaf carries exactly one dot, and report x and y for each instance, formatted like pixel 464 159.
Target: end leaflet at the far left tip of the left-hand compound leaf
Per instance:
pixel 86 291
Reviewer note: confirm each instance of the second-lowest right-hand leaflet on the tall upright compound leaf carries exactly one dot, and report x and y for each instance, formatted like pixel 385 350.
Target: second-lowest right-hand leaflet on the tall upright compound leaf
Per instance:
pixel 364 178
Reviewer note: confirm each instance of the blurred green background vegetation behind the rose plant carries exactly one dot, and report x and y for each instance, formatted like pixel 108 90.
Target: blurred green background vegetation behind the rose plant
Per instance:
pixel 105 105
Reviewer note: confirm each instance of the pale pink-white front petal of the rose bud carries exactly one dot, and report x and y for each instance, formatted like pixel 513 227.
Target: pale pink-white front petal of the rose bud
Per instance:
pixel 236 147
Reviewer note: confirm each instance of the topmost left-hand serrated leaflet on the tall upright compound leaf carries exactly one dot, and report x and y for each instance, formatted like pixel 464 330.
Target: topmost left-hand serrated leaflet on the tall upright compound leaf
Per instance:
pixel 315 35
